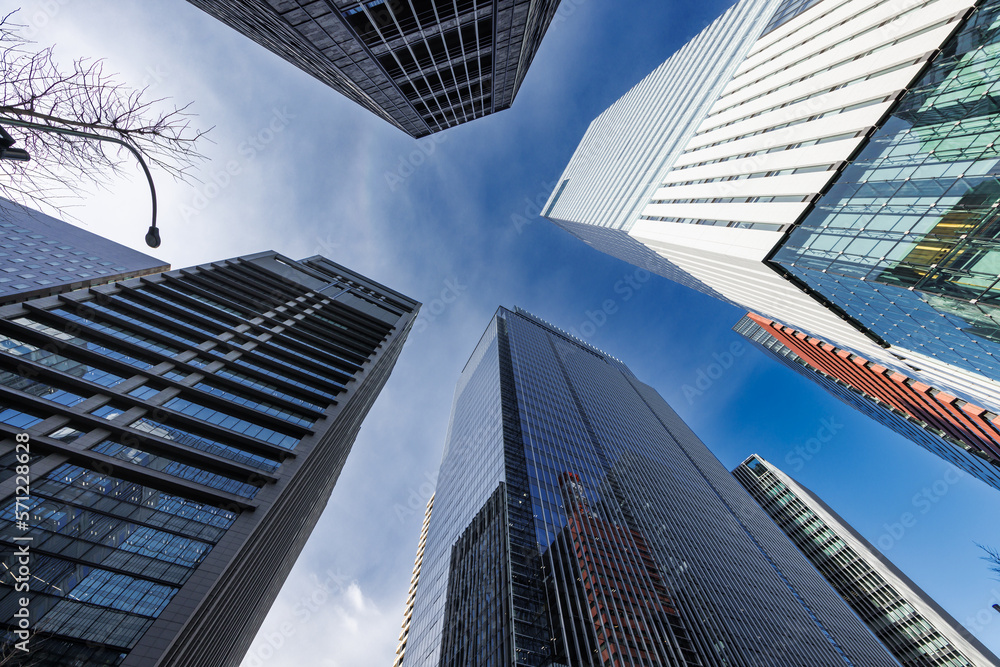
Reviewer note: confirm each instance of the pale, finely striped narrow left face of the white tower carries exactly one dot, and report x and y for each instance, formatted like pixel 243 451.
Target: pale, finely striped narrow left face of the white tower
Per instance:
pixel 626 151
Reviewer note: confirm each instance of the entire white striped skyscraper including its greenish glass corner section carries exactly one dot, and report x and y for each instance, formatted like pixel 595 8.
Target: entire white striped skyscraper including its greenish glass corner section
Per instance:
pixel 837 167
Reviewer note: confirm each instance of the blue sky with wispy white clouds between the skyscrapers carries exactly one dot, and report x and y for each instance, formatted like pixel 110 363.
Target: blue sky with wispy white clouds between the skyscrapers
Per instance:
pixel 310 172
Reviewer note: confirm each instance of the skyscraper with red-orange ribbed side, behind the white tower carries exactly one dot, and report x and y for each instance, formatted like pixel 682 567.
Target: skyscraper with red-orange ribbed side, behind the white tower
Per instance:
pixel 959 432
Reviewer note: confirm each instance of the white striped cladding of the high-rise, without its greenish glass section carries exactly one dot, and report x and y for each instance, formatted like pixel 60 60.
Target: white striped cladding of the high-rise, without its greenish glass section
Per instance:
pixel 701 171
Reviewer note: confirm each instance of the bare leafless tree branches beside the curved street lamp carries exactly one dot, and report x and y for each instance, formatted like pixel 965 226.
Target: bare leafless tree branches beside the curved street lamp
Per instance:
pixel 83 98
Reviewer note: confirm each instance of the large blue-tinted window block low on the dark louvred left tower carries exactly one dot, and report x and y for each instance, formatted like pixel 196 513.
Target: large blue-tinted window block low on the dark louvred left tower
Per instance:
pixel 108 554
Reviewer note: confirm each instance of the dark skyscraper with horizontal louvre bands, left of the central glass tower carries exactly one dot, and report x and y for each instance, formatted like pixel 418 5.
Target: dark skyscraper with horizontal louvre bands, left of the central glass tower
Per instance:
pixel 186 430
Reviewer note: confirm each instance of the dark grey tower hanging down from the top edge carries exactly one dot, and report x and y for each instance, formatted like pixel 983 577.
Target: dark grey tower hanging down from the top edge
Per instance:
pixel 422 65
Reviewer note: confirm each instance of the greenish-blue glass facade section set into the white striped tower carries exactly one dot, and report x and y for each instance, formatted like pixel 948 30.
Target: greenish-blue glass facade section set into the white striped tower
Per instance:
pixel 906 240
